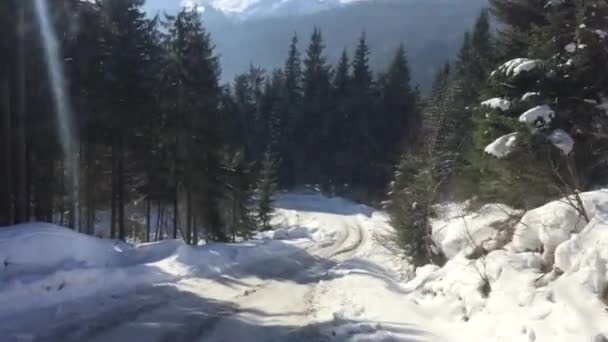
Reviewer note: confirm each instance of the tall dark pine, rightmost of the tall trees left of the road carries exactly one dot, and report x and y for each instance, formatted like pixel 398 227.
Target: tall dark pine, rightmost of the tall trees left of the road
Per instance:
pixel 193 96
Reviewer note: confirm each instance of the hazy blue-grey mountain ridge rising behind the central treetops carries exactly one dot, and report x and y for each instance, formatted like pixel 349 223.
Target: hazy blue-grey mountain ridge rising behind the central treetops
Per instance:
pixel 431 30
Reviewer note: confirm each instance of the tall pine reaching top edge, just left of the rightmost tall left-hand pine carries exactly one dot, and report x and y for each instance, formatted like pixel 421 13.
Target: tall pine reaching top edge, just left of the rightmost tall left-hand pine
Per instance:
pixel 124 33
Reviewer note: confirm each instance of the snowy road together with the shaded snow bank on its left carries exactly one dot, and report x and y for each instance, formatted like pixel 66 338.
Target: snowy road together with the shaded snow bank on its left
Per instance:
pixel 319 276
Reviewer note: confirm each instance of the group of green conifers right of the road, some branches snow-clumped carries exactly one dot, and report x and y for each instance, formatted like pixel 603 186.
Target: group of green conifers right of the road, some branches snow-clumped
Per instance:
pixel 518 118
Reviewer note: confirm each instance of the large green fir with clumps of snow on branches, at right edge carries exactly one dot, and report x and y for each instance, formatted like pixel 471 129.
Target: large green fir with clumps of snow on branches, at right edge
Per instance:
pixel 567 55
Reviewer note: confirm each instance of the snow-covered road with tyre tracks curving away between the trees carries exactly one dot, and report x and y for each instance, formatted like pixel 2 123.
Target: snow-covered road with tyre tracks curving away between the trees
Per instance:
pixel 314 287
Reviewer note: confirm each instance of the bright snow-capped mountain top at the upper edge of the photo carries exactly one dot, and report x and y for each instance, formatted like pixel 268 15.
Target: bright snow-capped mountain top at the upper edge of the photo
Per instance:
pixel 249 9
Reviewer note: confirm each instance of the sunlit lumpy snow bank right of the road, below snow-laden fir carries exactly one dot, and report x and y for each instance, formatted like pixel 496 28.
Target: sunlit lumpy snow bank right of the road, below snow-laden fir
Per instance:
pixel 504 296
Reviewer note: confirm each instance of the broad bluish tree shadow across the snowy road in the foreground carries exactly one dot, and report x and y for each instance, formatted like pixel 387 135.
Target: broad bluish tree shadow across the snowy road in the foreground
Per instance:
pixel 166 313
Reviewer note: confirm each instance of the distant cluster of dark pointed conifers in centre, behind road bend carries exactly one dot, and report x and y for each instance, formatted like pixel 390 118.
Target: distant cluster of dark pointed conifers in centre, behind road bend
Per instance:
pixel 337 126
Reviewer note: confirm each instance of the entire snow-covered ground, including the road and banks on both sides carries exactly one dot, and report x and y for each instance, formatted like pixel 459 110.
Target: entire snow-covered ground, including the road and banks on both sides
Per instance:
pixel 328 272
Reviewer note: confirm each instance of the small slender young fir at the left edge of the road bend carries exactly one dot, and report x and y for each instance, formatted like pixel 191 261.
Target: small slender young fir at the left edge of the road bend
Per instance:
pixel 266 188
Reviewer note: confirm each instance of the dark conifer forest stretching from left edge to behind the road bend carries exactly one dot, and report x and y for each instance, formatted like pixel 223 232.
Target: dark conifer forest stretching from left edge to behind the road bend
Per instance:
pixel 133 118
